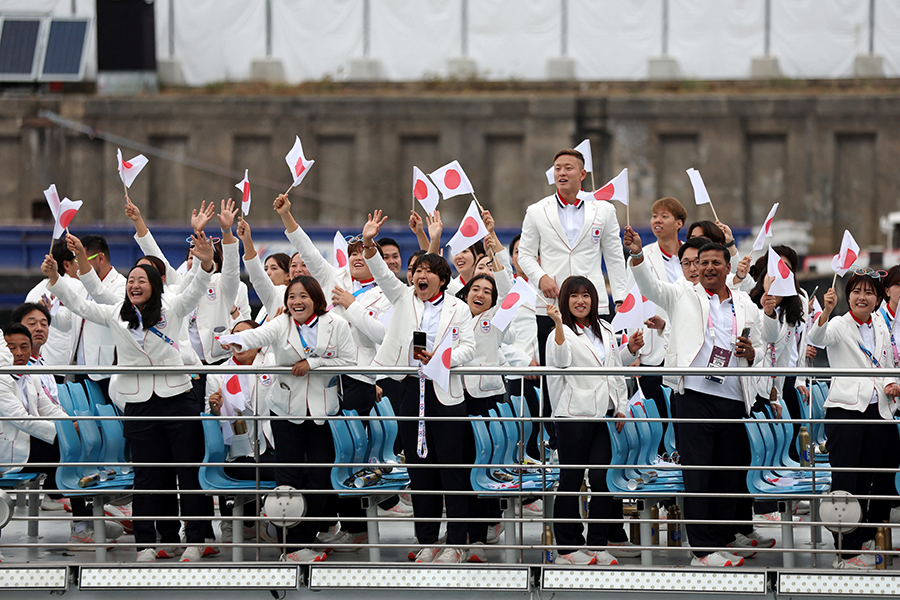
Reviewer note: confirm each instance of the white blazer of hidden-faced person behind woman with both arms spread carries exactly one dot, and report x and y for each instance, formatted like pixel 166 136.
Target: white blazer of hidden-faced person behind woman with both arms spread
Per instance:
pixel 214 308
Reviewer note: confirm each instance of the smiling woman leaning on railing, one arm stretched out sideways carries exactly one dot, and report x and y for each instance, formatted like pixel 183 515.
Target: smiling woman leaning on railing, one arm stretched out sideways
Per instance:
pixel 303 337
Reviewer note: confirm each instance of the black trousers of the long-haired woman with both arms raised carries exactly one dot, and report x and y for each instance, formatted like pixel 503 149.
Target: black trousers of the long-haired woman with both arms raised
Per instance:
pixel 159 443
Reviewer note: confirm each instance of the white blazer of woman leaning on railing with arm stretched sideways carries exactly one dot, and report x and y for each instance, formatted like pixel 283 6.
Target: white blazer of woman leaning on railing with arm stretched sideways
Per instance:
pixel 310 395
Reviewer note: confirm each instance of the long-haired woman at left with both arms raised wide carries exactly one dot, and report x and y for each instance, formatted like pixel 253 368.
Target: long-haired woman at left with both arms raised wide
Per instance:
pixel 142 326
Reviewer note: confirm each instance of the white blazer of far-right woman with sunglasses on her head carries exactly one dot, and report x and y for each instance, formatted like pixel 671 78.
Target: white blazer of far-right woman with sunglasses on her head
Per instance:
pixel 842 338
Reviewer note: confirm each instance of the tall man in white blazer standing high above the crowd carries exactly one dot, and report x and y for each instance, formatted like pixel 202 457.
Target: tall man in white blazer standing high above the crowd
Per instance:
pixel 563 235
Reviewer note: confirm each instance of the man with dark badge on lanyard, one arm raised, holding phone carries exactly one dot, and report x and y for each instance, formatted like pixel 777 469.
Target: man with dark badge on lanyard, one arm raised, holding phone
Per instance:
pixel 714 327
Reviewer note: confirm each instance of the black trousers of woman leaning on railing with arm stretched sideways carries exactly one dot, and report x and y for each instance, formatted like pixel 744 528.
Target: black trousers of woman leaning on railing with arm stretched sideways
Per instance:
pixel 304 443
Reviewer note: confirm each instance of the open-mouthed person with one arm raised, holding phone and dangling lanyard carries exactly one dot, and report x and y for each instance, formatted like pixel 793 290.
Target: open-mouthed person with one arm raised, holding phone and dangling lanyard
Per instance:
pixel 427 308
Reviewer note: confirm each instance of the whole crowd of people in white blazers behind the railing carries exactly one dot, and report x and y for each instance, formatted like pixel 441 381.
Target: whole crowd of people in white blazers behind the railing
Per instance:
pixel 712 309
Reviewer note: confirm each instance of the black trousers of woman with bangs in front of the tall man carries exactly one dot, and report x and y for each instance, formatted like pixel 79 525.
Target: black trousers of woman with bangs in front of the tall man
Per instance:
pixel 585 443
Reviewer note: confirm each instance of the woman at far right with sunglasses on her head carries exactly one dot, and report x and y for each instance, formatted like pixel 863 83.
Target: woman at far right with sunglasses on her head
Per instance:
pixel 858 340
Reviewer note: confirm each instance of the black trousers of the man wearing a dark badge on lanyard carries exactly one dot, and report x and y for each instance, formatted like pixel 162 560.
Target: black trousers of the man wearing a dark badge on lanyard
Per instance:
pixel 711 445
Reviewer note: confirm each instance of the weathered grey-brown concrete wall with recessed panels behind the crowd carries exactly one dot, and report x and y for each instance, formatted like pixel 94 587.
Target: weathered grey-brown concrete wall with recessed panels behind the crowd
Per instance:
pixel 829 159
